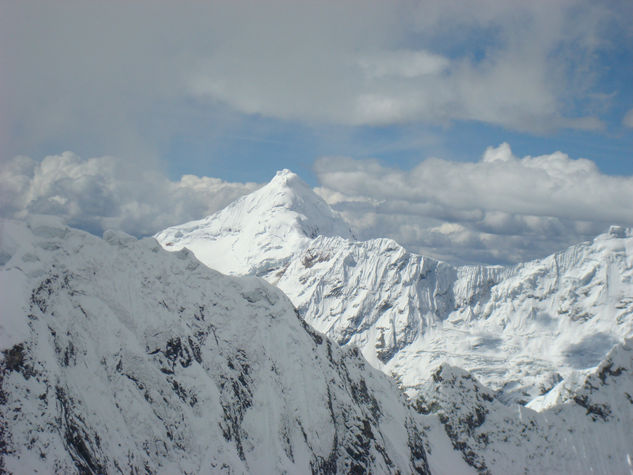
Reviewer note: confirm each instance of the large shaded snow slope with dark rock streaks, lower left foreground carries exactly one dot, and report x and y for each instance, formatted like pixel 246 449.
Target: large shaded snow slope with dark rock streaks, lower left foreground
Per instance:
pixel 120 357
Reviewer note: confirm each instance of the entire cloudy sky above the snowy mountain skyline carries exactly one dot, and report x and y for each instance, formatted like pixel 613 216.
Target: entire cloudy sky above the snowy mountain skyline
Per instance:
pixel 238 90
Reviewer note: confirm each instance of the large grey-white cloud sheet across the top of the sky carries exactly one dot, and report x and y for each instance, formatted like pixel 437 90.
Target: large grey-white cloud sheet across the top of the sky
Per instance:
pixel 121 76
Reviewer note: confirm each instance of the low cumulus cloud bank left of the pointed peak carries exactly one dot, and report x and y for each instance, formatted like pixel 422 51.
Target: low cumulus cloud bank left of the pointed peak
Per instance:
pixel 106 192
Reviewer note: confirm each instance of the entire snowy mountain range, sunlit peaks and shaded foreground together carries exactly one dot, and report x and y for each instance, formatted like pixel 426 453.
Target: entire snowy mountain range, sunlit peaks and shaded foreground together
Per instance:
pixel 353 357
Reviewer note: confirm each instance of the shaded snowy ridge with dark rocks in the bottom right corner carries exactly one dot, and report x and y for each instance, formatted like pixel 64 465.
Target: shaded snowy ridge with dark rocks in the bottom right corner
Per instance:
pixel 588 429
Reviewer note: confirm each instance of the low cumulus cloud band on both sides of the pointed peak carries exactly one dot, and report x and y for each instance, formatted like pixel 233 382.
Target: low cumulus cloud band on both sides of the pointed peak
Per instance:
pixel 500 209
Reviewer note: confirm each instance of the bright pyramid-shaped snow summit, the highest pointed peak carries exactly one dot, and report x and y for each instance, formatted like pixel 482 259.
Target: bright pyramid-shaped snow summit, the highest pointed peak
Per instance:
pixel 258 233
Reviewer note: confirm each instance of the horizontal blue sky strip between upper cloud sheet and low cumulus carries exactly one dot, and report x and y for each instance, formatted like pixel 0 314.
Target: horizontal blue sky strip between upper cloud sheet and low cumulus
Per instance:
pixel 296 146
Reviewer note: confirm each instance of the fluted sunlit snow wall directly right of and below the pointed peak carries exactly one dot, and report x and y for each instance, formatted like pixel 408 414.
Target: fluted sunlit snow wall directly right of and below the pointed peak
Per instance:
pixel 373 294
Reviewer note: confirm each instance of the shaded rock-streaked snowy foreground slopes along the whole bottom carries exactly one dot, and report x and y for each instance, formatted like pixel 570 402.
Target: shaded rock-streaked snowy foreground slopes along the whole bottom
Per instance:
pixel 120 357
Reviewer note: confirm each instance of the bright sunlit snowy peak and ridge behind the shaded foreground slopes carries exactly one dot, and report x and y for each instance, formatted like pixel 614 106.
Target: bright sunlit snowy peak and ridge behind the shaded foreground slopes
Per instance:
pixel 519 329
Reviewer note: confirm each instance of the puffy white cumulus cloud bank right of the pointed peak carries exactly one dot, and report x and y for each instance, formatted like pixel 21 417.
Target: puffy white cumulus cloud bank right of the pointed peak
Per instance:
pixel 499 209
